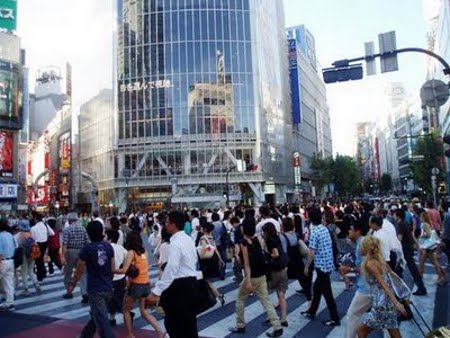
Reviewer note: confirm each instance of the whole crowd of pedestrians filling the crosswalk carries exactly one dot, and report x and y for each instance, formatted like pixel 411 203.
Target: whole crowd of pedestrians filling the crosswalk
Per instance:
pixel 110 257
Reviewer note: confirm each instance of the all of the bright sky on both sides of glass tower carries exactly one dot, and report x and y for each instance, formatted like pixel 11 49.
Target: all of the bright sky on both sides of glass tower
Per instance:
pixel 56 31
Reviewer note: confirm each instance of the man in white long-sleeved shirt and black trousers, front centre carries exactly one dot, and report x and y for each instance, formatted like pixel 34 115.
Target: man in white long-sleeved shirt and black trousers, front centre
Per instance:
pixel 177 285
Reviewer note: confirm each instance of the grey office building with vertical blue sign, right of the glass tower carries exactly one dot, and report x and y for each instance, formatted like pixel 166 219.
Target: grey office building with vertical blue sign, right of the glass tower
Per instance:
pixel 310 112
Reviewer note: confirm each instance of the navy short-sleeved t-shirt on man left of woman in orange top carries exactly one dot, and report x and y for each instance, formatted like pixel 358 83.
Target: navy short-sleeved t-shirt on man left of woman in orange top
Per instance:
pixel 98 256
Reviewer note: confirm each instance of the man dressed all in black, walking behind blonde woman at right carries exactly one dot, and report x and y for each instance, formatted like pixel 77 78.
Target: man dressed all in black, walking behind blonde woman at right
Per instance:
pixel 406 238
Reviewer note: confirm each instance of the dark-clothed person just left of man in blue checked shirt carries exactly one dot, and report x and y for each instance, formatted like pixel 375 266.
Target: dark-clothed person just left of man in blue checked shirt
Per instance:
pixel 295 266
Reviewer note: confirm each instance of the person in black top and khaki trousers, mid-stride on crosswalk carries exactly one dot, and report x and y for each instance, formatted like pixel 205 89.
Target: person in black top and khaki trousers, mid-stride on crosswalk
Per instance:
pixel 255 268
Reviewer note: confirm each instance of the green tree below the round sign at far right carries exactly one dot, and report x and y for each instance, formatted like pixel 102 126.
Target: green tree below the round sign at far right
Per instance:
pixel 432 150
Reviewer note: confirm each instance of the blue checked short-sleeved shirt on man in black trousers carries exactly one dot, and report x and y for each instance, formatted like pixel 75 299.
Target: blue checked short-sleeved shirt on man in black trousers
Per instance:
pixel 320 242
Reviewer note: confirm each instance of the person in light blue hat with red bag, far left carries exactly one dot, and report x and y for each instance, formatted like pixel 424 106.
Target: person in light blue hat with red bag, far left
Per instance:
pixel 31 252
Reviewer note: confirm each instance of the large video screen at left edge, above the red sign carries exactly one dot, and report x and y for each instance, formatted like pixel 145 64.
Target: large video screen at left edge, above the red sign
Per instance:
pixel 10 95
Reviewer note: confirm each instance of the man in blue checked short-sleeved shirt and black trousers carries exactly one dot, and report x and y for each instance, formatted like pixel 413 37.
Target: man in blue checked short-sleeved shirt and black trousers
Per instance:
pixel 321 252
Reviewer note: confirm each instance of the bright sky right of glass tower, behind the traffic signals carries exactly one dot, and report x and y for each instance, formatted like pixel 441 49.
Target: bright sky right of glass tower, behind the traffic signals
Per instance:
pixel 340 28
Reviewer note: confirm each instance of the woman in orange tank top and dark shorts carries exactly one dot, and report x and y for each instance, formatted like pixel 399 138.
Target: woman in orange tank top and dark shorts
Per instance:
pixel 138 286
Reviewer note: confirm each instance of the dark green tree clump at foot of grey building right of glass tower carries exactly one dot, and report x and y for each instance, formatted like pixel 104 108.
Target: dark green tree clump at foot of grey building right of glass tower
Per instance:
pixel 342 171
